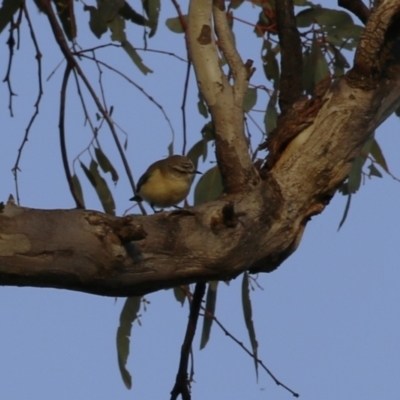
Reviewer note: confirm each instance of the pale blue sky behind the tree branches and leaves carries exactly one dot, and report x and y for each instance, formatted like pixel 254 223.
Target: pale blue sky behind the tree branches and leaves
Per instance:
pixel 327 320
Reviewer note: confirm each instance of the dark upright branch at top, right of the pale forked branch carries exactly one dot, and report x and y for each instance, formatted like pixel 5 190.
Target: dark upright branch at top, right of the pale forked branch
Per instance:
pixel 291 82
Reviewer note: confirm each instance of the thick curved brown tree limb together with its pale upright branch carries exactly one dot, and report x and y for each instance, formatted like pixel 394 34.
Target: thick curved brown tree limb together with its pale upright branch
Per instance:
pixel 257 224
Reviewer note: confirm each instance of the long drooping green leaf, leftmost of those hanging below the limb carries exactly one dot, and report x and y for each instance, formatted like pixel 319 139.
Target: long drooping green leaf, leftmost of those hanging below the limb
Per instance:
pixel 128 315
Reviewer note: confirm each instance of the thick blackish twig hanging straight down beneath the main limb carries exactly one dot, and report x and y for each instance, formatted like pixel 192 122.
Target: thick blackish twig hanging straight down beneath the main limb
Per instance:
pixel 182 384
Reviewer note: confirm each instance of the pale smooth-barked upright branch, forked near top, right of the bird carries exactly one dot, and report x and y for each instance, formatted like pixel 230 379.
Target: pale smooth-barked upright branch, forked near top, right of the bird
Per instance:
pixel 225 102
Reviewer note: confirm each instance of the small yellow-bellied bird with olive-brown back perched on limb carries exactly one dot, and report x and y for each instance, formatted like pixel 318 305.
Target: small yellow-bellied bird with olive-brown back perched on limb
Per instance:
pixel 166 182
